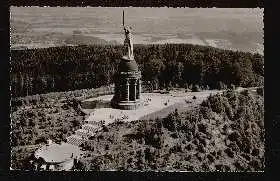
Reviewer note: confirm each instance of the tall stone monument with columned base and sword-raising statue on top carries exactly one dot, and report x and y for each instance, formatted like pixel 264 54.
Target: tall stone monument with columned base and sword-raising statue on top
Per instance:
pixel 127 79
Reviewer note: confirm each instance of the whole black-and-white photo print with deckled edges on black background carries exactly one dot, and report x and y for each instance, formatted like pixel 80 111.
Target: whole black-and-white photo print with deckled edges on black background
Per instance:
pixel 137 89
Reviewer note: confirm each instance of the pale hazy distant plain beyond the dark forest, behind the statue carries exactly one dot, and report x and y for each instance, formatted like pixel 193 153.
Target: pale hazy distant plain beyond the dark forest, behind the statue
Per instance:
pixel 237 29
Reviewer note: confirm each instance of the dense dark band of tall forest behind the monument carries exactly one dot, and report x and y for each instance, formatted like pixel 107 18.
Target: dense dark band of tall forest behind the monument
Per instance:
pixel 43 70
